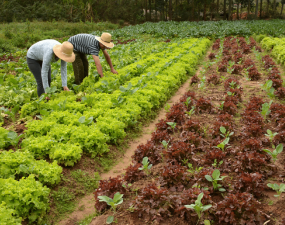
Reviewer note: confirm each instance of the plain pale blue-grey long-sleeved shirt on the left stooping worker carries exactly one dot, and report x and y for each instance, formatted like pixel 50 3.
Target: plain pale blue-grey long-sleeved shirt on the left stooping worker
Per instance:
pixel 43 51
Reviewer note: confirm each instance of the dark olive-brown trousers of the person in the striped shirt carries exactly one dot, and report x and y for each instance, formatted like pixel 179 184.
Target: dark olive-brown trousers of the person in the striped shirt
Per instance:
pixel 80 67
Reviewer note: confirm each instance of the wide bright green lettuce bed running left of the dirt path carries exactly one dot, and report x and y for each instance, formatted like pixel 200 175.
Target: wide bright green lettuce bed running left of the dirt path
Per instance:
pixel 72 123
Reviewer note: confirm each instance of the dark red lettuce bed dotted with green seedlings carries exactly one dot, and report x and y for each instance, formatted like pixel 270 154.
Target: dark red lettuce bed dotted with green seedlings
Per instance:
pixel 217 156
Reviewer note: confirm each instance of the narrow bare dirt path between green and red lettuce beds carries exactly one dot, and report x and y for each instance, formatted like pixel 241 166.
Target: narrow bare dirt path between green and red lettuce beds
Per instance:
pixel 85 206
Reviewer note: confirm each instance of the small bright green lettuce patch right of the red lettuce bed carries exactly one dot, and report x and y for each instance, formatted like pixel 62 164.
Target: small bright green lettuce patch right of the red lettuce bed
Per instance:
pixel 275 45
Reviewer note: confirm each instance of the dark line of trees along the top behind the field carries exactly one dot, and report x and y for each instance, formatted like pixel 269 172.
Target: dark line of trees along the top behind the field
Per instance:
pixel 138 11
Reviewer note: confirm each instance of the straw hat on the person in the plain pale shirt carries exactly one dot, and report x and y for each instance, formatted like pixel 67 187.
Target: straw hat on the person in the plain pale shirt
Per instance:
pixel 64 51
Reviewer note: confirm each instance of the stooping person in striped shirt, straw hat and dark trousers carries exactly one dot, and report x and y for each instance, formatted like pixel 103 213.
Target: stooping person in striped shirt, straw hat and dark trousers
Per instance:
pixel 88 44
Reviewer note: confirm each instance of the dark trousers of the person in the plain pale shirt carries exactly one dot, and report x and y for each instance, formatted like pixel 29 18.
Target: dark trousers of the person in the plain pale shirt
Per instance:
pixel 36 68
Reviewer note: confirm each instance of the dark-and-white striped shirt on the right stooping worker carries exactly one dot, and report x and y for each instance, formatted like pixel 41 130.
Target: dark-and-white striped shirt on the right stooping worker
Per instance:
pixel 85 43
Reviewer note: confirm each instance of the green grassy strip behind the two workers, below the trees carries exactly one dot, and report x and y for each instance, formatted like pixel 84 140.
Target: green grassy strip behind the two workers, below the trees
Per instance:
pixel 23 35
